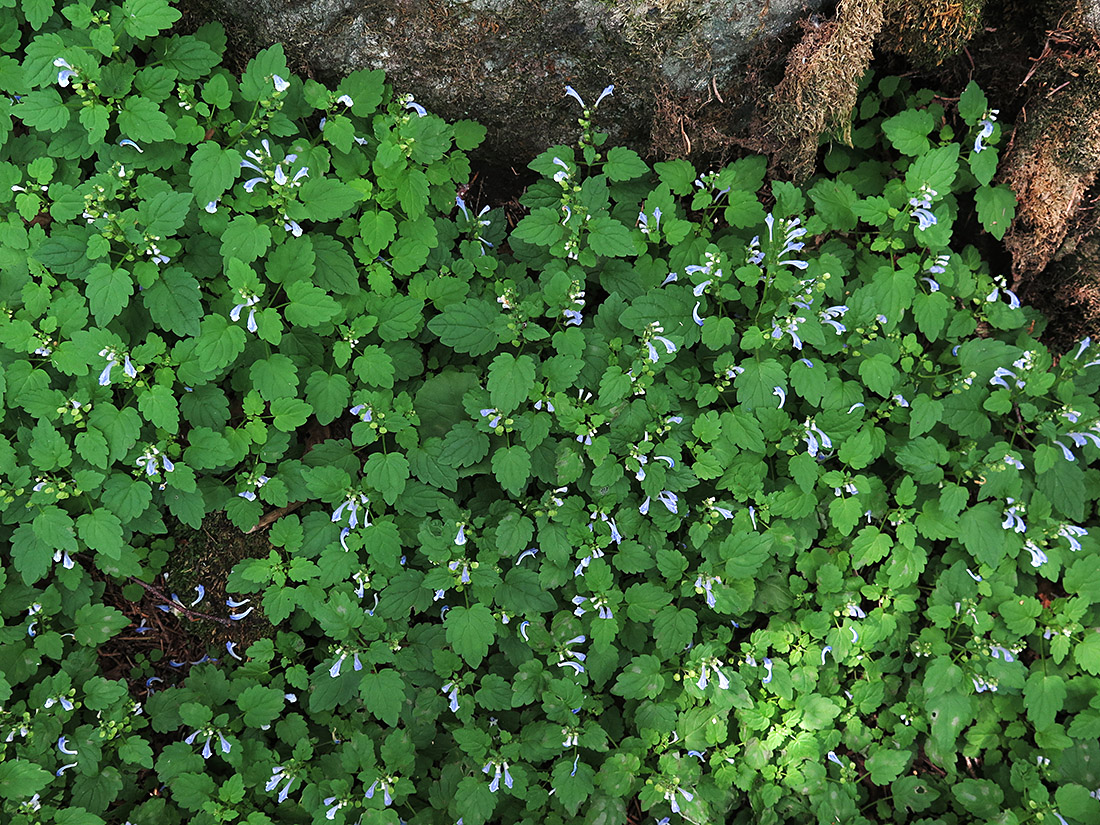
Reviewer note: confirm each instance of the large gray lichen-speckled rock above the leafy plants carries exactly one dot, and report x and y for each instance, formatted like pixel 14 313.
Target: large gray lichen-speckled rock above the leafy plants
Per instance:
pixel 505 63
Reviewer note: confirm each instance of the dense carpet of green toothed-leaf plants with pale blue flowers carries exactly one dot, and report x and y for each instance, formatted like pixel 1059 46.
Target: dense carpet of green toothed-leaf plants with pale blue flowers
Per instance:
pixel 667 499
